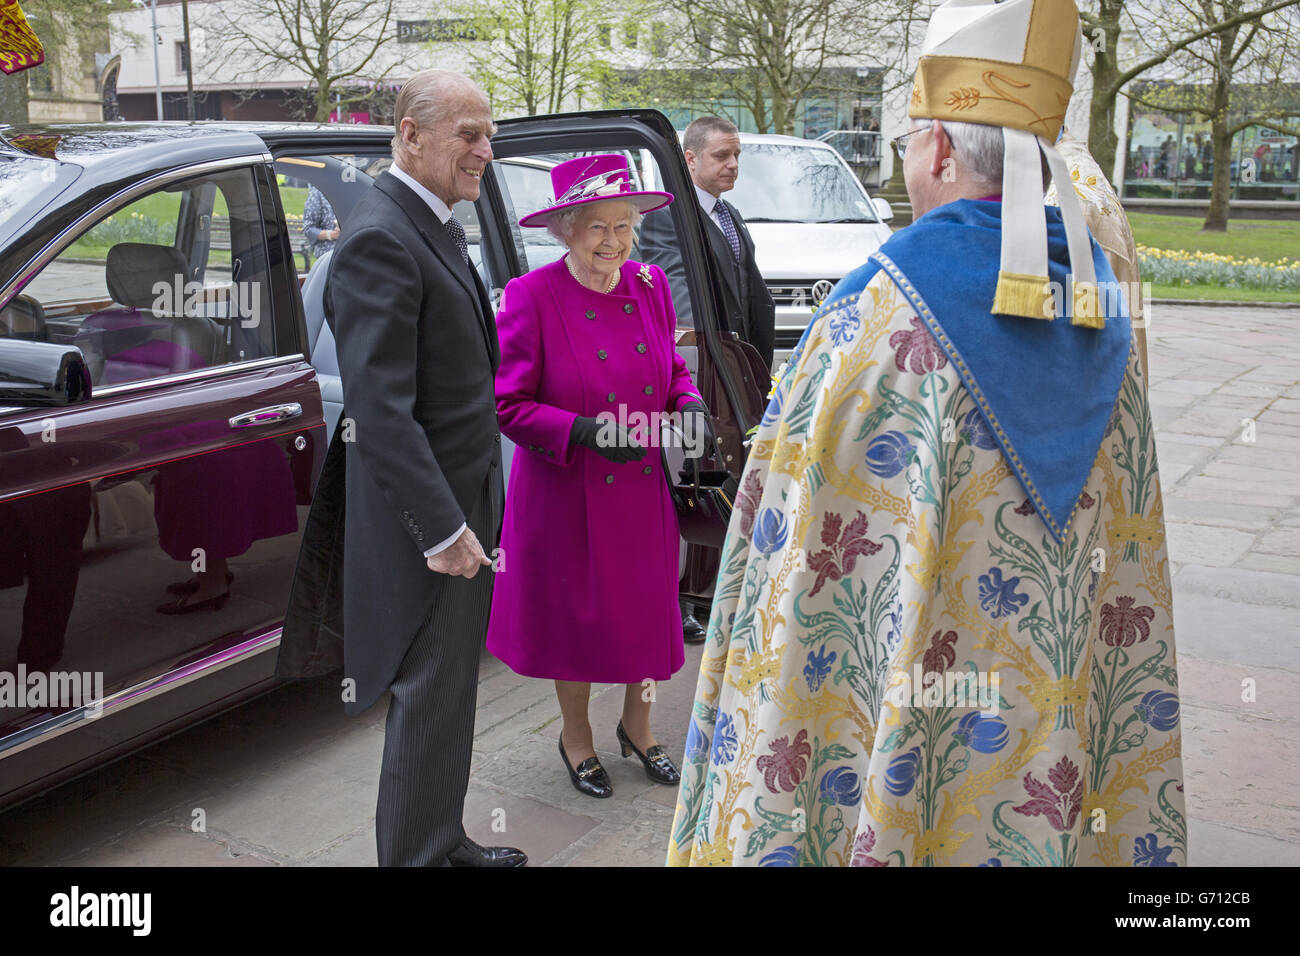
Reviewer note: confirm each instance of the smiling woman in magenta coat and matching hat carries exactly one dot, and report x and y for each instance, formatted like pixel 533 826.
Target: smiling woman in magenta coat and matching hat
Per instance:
pixel 588 582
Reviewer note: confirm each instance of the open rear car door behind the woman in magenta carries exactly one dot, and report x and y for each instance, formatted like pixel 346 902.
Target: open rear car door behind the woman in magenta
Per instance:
pixel 729 373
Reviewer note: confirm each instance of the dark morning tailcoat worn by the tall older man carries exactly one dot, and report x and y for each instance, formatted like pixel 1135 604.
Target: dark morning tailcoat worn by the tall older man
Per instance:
pixel 418 439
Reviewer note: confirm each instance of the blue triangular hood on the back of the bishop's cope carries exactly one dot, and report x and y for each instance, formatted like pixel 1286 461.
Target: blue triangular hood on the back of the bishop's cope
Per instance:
pixel 1046 388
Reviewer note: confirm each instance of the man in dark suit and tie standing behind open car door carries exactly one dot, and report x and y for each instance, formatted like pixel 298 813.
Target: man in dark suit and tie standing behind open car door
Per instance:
pixel 712 146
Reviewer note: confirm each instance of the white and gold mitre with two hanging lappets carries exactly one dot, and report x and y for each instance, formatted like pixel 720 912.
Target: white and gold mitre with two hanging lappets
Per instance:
pixel 1012 64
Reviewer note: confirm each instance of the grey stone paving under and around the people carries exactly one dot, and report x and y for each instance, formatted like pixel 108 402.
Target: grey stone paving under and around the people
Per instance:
pixel 288 780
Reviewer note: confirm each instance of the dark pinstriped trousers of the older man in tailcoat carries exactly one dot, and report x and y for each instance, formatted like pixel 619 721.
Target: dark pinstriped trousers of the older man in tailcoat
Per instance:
pixel 431 728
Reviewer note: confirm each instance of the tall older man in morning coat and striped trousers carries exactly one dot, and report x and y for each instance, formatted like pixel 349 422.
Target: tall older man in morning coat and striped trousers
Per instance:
pixel 411 495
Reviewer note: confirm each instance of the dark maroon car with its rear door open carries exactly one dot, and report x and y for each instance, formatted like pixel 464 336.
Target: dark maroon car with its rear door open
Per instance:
pixel 162 421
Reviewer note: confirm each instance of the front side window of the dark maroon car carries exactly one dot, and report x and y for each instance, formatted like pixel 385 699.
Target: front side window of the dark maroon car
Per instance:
pixel 174 282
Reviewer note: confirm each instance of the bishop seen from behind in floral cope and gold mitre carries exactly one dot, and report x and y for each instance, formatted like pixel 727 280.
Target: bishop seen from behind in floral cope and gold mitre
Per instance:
pixel 943 631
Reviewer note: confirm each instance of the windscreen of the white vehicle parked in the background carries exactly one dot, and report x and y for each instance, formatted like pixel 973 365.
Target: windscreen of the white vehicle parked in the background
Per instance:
pixel 798 184
